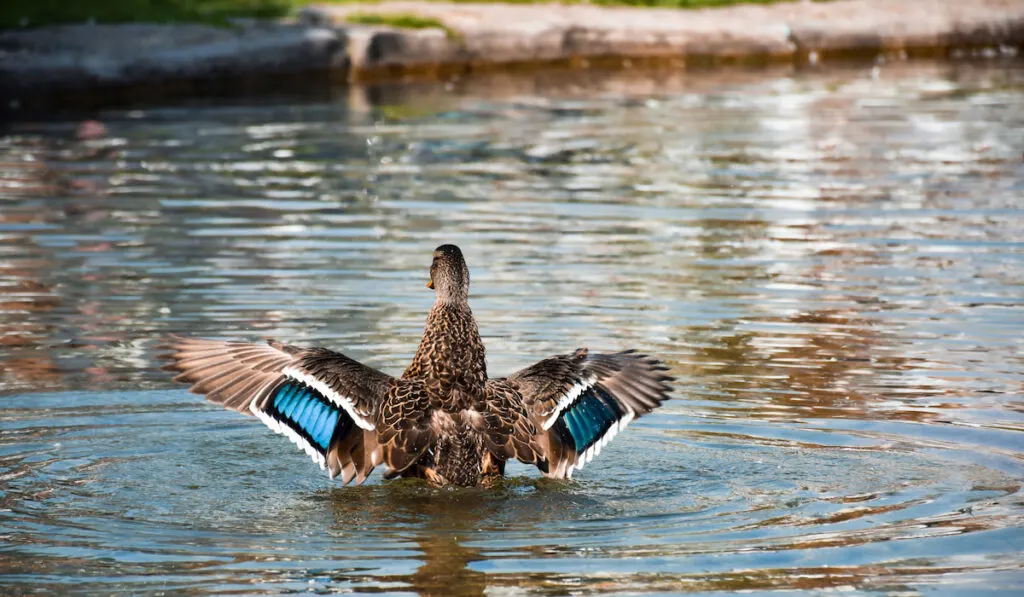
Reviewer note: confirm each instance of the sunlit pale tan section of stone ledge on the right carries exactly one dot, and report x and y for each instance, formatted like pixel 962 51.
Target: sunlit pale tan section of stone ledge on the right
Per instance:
pixel 497 34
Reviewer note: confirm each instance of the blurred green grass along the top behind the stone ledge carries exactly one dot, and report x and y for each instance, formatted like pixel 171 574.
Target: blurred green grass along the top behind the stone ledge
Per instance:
pixel 18 14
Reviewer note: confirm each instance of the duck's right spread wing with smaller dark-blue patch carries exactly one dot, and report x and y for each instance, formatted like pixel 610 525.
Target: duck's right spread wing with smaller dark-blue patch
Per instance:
pixel 580 402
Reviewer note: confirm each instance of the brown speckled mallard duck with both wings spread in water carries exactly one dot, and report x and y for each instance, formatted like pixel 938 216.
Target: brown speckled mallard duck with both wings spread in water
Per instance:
pixel 444 420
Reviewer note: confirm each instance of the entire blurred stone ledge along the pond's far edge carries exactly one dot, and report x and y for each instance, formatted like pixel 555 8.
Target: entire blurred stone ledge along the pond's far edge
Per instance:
pixel 47 63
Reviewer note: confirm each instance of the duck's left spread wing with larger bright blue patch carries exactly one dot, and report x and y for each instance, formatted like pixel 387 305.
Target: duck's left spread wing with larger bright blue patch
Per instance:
pixel 323 401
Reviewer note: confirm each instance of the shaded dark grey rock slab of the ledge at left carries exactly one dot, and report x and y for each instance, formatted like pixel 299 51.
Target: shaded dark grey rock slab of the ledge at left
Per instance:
pixel 84 57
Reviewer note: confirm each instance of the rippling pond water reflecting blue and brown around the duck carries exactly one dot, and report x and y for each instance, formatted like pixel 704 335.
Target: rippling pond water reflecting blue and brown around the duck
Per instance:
pixel 832 265
